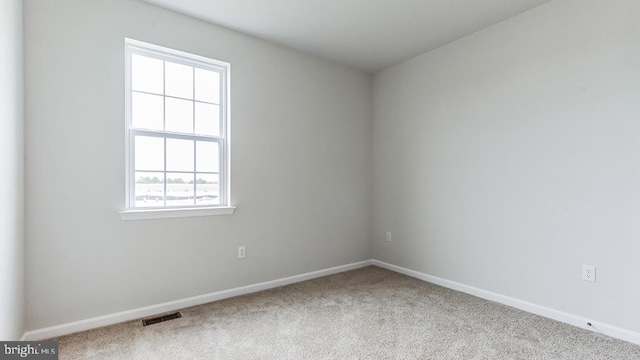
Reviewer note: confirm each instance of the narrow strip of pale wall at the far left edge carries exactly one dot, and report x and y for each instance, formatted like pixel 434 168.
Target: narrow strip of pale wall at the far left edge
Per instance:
pixel 11 167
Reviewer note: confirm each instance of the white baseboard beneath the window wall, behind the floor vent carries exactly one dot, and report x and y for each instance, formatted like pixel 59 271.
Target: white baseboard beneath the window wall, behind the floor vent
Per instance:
pixel 100 321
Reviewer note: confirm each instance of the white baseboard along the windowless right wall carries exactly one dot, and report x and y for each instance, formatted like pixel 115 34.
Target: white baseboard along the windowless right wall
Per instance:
pixel 581 322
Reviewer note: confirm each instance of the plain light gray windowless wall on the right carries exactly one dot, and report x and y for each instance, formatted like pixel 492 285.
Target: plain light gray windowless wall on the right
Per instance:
pixel 509 158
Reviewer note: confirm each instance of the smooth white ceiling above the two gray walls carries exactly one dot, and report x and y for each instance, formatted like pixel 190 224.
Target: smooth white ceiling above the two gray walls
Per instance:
pixel 368 34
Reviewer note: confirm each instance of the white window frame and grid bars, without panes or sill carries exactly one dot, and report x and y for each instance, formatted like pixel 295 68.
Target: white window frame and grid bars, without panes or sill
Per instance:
pixel 222 68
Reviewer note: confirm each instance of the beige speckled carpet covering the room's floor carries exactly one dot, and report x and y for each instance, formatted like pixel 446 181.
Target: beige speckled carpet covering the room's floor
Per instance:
pixel 369 313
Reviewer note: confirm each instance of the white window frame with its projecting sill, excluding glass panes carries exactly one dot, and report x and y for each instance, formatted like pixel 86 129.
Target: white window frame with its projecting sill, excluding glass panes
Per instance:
pixel 224 176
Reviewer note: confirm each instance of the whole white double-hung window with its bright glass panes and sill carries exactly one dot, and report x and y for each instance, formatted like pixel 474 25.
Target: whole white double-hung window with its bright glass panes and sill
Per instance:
pixel 177 113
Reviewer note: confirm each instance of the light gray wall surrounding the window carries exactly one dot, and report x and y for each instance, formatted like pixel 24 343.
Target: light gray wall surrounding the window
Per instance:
pixel 301 165
